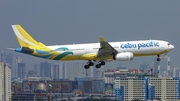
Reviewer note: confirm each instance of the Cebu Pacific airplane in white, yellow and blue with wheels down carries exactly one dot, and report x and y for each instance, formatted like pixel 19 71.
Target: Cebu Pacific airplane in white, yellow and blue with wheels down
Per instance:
pixel 102 52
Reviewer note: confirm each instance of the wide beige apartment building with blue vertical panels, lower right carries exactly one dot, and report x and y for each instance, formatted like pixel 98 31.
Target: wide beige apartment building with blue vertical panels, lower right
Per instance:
pixel 128 89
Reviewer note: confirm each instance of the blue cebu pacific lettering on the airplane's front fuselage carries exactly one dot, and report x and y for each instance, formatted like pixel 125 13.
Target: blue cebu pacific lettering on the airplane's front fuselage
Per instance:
pixel 140 45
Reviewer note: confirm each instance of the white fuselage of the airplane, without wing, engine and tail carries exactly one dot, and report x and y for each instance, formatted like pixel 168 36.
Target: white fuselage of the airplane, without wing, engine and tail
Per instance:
pixel 138 48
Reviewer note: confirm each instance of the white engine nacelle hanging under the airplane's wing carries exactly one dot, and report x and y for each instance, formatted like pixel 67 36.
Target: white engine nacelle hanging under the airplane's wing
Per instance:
pixel 125 56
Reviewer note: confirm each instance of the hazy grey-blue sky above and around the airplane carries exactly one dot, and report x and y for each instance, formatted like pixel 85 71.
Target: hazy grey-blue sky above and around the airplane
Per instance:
pixel 82 21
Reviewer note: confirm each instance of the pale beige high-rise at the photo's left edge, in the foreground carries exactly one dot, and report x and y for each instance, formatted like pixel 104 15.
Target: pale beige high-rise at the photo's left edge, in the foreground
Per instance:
pixel 5 82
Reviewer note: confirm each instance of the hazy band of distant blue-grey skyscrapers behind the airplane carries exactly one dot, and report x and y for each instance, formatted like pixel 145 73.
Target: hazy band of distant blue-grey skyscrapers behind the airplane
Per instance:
pixel 72 69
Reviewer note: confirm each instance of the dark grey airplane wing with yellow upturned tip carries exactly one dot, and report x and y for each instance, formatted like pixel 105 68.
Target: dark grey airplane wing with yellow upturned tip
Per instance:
pixel 105 48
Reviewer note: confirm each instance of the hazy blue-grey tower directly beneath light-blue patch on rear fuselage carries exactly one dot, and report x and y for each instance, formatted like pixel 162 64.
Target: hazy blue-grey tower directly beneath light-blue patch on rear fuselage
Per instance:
pixel 45 69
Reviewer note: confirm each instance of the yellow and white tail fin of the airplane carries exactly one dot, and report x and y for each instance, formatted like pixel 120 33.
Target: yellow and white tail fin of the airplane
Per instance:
pixel 24 38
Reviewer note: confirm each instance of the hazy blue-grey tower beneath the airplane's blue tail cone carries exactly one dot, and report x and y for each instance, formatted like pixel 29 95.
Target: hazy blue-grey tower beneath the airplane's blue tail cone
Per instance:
pixel 21 70
